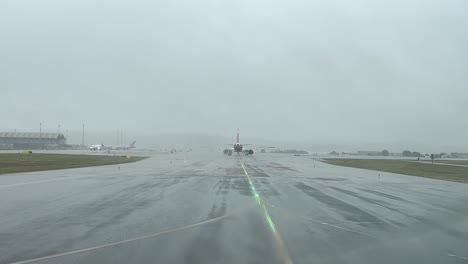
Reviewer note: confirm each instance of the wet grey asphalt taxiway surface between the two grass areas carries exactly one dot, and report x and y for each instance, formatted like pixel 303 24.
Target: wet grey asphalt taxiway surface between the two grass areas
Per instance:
pixel 199 207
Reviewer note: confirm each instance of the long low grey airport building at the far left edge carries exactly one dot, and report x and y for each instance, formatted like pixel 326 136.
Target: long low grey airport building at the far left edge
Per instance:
pixel 22 140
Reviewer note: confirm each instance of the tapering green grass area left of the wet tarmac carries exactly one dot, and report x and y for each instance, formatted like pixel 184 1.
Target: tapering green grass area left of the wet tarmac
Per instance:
pixel 11 163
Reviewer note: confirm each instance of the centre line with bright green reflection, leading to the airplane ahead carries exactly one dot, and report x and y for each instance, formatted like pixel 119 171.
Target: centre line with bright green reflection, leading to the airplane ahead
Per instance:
pixel 282 250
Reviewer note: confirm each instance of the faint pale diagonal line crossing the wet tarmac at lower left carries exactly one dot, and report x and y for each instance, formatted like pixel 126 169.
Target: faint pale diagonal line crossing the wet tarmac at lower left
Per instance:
pixel 127 240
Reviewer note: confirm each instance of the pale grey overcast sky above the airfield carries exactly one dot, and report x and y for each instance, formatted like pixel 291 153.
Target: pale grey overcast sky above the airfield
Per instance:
pixel 321 71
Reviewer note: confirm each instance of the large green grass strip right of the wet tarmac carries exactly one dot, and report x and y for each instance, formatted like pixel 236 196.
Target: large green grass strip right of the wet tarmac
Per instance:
pixel 441 172
